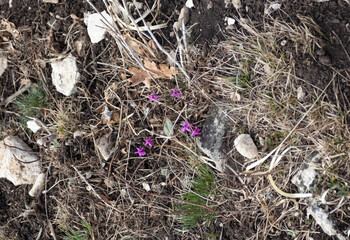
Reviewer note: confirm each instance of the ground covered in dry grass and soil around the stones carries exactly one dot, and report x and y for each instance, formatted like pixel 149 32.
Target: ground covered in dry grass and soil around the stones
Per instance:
pixel 304 44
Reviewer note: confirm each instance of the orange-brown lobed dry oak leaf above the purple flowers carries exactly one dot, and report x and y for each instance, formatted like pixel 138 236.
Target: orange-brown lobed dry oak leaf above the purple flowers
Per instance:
pixel 139 75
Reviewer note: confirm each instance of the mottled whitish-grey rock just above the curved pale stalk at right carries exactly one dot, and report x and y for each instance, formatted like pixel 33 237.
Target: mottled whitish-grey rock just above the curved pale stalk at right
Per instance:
pixel 305 177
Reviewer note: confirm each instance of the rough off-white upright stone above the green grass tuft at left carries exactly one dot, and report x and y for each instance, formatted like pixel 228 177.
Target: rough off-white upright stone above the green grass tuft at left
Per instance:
pixel 65 74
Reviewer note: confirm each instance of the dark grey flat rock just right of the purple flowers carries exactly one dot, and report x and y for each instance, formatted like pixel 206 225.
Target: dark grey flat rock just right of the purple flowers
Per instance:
pixel 210 141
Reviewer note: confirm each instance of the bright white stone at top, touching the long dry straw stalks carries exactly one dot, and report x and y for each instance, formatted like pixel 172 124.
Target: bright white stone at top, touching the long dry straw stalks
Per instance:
pixel 96 25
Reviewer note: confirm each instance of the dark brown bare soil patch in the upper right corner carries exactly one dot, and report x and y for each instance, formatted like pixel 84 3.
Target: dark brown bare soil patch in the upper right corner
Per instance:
pixel 317 67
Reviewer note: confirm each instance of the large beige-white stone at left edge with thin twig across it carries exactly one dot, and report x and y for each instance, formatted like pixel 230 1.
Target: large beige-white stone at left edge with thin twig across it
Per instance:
pixel 18 163
